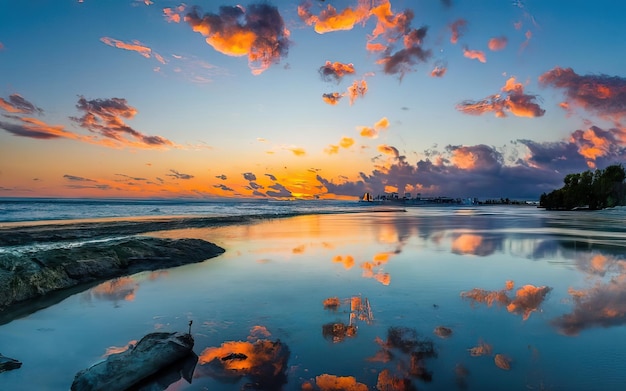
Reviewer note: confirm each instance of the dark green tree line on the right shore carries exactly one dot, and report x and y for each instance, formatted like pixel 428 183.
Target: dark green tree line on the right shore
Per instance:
pixel 593 189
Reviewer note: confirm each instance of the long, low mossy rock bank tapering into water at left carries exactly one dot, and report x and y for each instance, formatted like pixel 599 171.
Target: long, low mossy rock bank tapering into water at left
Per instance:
pixel 28 275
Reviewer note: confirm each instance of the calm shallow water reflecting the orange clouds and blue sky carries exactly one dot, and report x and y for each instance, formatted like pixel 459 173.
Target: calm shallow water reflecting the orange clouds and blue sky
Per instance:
pixel 412 267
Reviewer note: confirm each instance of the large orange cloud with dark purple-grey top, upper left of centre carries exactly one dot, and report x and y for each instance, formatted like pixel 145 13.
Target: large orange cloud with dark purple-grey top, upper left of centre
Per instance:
pixel 257 32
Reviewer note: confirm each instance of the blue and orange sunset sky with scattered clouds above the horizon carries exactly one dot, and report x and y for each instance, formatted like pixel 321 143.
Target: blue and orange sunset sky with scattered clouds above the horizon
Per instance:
pixel 308 99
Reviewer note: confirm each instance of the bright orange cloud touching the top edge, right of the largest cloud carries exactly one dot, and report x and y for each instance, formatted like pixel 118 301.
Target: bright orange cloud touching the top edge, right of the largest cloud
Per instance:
pixel 330 20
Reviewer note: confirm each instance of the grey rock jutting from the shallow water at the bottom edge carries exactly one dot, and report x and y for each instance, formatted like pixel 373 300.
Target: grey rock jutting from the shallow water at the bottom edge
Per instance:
pixel 153 353
